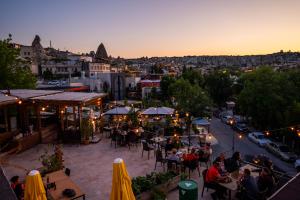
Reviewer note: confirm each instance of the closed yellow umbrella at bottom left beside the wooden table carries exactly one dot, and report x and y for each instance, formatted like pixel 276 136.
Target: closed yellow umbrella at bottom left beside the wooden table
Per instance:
pixel 34 188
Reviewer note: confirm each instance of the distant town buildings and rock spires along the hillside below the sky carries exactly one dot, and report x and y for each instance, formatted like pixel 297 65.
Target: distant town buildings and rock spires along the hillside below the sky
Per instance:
pixel 133 78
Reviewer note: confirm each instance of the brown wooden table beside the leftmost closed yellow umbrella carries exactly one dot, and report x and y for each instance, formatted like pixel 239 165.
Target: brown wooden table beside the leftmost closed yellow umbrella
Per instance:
pixel 62 182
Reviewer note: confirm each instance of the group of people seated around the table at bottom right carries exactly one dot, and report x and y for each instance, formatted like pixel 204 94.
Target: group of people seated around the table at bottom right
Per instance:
pixel 252 183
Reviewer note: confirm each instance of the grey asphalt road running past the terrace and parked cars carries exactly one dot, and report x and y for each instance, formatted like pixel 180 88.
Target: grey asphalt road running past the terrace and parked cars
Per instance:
pixel 224 135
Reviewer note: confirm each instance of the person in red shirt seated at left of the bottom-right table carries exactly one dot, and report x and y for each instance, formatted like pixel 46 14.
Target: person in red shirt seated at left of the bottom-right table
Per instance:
pixel 213 177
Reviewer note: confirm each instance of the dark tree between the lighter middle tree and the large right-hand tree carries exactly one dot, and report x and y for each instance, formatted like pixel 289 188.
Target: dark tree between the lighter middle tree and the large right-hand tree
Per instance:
pixel 219 86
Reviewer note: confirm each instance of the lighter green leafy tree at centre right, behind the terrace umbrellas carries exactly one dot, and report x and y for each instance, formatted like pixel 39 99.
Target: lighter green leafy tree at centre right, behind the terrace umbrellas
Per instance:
pixel 190 98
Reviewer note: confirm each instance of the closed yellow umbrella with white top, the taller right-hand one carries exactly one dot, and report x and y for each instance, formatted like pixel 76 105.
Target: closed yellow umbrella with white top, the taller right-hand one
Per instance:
pixel 121 182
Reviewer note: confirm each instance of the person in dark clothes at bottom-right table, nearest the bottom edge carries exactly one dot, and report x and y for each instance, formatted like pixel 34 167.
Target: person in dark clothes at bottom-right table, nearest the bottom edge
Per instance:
pixel 249 189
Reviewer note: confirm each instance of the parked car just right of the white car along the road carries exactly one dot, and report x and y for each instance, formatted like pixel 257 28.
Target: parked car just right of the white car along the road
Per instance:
pixel 282 151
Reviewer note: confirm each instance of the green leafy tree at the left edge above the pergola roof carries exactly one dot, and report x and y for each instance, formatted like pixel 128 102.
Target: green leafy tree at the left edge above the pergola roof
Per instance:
pixel 14 73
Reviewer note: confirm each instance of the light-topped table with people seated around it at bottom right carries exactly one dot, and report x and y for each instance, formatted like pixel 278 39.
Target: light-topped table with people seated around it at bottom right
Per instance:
pixel 233 185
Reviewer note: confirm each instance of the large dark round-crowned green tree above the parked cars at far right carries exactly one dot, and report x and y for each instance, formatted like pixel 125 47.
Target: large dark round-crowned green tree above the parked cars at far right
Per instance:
pixel 268 97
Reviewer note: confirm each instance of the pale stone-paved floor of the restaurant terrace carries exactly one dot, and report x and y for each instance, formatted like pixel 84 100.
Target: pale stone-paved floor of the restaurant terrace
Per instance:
pixel 91 166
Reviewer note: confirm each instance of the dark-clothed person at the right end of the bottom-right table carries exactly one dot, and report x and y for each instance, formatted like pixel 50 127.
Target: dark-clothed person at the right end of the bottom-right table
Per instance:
pixel 265 181
